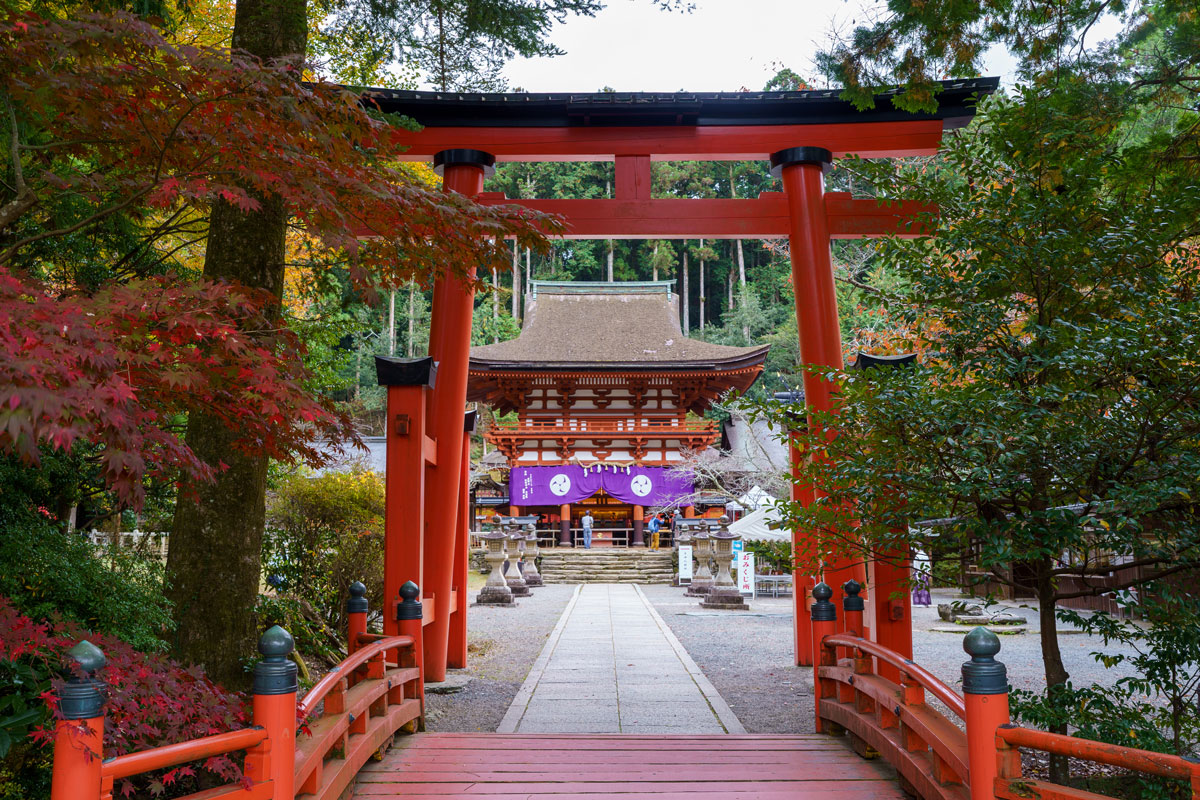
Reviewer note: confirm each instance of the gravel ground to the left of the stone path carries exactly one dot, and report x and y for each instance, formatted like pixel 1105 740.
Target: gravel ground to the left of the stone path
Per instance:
pixel 503 643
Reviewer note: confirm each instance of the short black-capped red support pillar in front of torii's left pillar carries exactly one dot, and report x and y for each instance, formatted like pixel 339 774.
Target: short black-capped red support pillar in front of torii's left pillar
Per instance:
pixel 409 458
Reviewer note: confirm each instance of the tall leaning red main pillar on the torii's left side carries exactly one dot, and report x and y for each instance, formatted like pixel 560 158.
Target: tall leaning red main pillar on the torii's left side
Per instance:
pixel 454 300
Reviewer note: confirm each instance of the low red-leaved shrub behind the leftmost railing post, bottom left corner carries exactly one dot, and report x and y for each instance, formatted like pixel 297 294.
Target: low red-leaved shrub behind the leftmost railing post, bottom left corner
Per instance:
pixel 152 702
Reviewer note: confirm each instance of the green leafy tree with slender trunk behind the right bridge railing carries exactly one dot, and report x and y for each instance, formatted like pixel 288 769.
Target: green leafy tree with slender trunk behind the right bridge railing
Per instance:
pixel 1059 406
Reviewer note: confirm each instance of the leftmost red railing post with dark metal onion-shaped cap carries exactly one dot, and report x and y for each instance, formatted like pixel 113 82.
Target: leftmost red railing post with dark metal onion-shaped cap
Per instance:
pixel 80 735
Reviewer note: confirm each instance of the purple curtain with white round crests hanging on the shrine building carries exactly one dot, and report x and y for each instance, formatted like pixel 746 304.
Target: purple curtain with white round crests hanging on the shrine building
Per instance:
pixel 646 486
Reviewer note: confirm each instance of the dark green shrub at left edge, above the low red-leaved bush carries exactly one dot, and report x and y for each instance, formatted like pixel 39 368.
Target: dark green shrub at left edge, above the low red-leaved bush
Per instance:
pixel 47 573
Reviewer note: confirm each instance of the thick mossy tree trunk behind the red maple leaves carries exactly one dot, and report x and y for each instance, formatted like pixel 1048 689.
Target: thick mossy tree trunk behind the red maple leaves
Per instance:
pixel 214 564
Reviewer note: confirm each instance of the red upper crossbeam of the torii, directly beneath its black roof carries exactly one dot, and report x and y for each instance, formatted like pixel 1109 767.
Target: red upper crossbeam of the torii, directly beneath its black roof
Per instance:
pixel 710 143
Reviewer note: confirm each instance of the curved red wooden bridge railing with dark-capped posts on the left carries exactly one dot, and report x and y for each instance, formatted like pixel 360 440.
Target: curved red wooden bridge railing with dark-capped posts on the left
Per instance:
pixel 349 717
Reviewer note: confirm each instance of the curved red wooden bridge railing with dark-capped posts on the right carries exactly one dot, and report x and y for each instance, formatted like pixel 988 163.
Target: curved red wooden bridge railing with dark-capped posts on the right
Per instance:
pixel 938 759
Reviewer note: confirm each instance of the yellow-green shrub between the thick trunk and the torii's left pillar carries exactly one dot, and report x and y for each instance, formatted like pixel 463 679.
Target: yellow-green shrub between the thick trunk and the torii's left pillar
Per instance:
pixel 326 533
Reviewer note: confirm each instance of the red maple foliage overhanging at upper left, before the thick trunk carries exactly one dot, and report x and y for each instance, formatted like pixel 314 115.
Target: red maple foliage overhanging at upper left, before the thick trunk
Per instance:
pixel 113 122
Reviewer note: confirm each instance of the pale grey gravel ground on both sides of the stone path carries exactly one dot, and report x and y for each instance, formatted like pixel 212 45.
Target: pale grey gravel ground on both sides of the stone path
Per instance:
pixel 747 657
